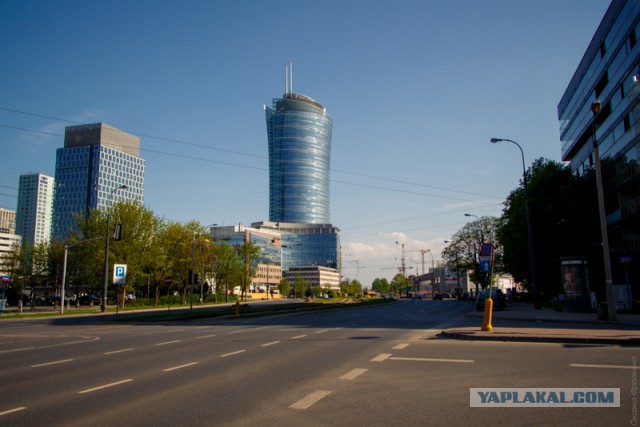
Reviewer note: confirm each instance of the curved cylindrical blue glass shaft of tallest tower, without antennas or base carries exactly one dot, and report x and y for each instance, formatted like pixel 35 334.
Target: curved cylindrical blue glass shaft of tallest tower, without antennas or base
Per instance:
pixel 299 132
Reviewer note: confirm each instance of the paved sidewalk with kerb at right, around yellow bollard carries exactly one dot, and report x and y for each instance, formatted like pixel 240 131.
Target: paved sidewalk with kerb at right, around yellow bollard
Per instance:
pixel 520 322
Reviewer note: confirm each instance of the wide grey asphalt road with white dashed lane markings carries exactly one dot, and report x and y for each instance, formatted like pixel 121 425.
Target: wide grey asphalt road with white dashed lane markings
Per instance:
pixel 375 366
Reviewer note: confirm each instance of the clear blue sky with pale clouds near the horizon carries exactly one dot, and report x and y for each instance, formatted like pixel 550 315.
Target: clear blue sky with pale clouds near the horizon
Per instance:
pixel 415 88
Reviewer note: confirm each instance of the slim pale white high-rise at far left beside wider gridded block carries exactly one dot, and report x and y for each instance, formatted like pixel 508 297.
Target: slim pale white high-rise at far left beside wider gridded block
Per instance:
pixel 35 208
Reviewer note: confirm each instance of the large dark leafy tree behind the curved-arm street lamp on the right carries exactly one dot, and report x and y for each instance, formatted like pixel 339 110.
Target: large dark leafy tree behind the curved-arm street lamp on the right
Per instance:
pixel 564 218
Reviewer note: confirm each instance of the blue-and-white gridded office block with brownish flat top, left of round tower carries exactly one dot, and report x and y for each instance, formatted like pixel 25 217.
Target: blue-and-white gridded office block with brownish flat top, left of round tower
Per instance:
pixel 96 160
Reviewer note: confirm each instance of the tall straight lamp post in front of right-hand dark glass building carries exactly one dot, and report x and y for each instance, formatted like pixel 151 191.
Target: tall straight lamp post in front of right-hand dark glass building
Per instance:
pixel 609 288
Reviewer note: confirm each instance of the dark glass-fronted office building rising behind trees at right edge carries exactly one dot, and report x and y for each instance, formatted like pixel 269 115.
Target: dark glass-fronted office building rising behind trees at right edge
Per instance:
pixel 610 72
